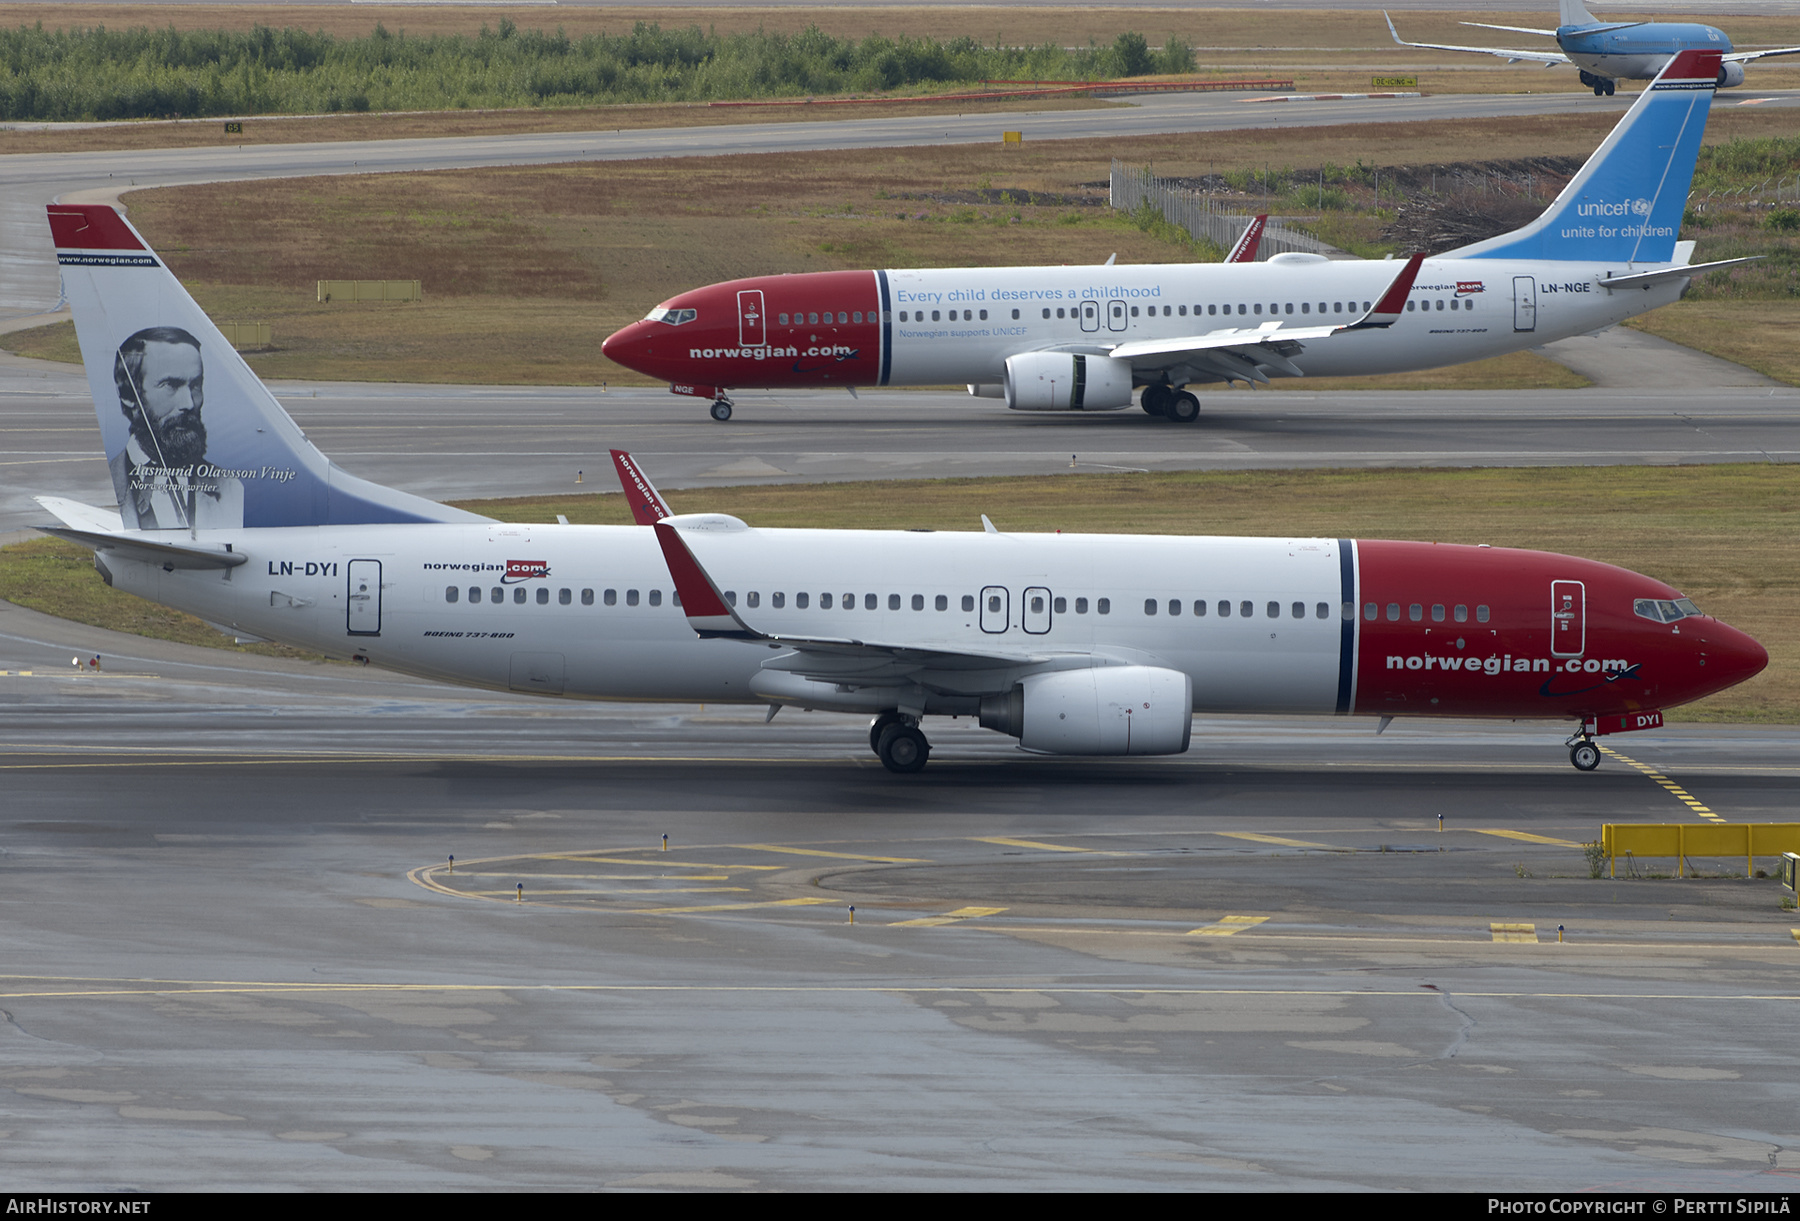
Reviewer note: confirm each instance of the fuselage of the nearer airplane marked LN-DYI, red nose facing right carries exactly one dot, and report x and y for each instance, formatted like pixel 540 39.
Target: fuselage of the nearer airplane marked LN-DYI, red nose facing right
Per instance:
pixel 1261 626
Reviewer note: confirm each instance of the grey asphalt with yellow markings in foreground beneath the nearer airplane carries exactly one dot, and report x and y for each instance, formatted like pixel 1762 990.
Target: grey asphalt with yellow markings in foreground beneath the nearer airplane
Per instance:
pixel 237 955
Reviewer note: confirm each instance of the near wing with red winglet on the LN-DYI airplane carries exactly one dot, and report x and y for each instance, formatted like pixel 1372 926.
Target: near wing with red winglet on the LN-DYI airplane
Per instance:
pixel 825 658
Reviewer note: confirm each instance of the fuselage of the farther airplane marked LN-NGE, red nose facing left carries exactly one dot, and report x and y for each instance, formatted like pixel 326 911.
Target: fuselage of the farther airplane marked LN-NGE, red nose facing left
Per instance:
pixel 935 327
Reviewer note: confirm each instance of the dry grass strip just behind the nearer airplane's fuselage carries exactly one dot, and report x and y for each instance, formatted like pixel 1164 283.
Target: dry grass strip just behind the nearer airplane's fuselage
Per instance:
pixel 1725 536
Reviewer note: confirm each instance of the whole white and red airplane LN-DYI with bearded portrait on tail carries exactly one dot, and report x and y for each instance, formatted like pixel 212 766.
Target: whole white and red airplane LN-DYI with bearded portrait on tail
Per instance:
pixel 1072 644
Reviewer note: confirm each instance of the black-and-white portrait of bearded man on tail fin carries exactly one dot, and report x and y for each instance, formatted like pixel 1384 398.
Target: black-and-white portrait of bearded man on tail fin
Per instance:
pixel 163 476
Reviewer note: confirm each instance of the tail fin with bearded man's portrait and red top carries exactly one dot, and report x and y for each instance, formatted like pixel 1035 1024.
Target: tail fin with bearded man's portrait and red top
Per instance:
pixel 193 439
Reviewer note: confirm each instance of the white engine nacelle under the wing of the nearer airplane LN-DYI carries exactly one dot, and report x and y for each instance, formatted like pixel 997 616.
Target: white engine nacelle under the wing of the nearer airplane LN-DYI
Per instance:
pixel 1110 710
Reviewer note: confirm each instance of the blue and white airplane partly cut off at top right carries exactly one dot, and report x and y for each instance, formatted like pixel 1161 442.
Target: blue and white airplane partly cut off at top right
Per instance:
pixel 1615 51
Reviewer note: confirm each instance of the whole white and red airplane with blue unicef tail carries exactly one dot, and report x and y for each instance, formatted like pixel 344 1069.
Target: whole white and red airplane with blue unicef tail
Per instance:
pixel 1084 338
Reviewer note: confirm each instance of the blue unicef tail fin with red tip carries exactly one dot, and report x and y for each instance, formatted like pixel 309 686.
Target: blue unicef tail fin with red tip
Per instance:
pixel 1626 204
